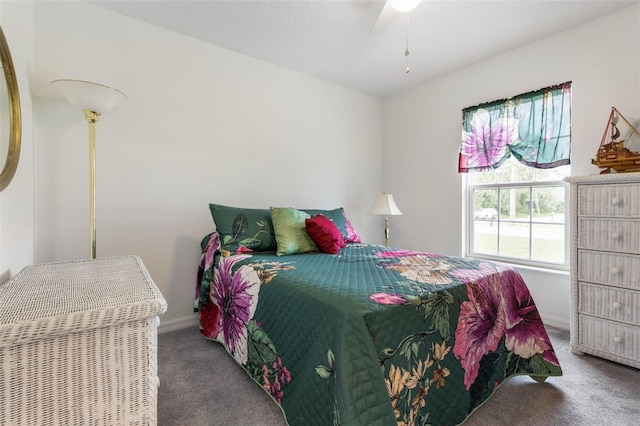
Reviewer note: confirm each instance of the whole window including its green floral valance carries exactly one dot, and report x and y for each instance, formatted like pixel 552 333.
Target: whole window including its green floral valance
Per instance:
pixel 516 154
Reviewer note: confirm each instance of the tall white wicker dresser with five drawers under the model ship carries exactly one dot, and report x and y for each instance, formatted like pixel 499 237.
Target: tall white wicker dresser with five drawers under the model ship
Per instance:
pixel 605 266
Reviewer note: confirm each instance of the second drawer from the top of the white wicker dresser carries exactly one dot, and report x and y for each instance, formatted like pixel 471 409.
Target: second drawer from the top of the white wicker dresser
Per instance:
pixel 609 235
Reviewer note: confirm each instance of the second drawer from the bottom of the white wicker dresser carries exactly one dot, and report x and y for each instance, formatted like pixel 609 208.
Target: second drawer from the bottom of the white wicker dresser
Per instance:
pixel 611 303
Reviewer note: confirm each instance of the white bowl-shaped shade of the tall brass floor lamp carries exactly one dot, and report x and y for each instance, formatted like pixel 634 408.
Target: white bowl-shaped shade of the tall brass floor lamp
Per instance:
pixel 89 96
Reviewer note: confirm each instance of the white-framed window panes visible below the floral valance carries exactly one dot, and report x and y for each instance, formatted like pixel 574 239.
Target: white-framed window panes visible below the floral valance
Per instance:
pixel 517 213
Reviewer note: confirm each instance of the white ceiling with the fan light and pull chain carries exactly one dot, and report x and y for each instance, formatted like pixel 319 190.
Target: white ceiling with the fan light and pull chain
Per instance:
pixel 331 39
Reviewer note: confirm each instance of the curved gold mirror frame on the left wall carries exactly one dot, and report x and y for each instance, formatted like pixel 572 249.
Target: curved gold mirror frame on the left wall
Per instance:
pixel 15 120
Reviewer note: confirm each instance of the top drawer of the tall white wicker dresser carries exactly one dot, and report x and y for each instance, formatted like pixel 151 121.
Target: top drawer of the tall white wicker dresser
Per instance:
pixel 621 200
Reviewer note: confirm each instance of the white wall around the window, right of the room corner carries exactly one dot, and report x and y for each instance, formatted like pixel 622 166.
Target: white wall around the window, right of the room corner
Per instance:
pixel 421 131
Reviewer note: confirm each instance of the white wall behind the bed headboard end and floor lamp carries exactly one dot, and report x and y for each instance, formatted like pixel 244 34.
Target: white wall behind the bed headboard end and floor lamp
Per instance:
pixel 201 124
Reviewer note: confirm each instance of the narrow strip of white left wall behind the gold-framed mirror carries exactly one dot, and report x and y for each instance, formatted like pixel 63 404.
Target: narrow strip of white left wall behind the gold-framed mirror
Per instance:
pixel 17 203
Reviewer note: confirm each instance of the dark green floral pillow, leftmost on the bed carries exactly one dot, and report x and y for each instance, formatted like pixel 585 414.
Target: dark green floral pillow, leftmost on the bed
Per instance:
pixel 243 230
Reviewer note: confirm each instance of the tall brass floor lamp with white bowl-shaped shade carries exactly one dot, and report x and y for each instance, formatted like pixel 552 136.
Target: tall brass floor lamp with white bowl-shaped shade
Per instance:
pixel 94 99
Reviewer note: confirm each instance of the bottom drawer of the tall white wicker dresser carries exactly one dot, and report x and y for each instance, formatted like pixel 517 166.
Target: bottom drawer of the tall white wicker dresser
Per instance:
pixel 610 337
